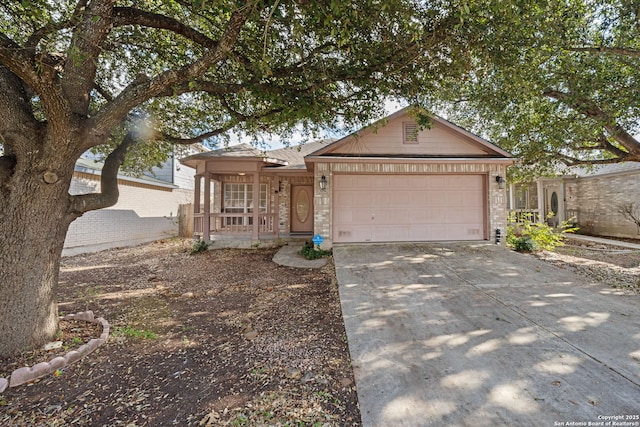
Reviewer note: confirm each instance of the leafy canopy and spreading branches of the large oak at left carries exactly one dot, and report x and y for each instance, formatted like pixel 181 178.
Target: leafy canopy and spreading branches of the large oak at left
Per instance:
pixel 188 70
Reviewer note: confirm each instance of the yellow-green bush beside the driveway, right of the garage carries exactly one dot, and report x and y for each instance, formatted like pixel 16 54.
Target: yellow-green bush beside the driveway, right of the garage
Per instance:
pixel 530 236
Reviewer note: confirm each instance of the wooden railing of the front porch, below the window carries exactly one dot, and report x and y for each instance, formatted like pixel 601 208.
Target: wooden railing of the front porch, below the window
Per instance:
pixel 233 223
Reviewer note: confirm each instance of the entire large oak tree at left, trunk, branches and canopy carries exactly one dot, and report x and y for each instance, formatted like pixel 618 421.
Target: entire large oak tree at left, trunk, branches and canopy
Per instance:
pixel 129 77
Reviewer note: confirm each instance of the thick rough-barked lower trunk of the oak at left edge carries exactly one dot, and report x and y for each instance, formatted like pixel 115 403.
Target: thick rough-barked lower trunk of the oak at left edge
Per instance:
pixel 35 219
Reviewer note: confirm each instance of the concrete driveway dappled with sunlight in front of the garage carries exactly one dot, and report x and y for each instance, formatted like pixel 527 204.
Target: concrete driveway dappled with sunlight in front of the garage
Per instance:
pixel 462 334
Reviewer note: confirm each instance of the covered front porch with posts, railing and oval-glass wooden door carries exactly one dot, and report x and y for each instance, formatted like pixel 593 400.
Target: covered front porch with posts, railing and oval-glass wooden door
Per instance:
pixel 247 196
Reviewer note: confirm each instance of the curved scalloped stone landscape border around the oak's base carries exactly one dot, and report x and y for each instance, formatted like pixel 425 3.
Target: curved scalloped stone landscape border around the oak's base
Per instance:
pixel 29 373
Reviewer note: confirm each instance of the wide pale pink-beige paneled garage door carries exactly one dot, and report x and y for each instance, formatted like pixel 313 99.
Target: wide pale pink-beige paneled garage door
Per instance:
pixel 386 208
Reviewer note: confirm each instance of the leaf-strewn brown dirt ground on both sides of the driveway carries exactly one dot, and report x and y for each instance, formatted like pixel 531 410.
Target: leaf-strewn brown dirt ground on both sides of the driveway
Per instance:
pixel 226 337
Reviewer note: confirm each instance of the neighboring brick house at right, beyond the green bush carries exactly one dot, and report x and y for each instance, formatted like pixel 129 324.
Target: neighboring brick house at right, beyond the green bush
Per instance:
pixel 590 197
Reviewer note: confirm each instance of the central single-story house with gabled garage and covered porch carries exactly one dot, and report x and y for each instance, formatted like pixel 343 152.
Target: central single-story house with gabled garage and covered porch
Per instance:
pixel 390 182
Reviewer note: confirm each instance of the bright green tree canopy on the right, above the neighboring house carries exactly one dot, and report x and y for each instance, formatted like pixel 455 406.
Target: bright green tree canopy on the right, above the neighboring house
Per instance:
pixel 556 83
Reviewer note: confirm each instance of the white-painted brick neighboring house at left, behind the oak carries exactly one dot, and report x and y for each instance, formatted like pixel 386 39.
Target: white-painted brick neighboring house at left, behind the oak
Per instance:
pixel 147 208
